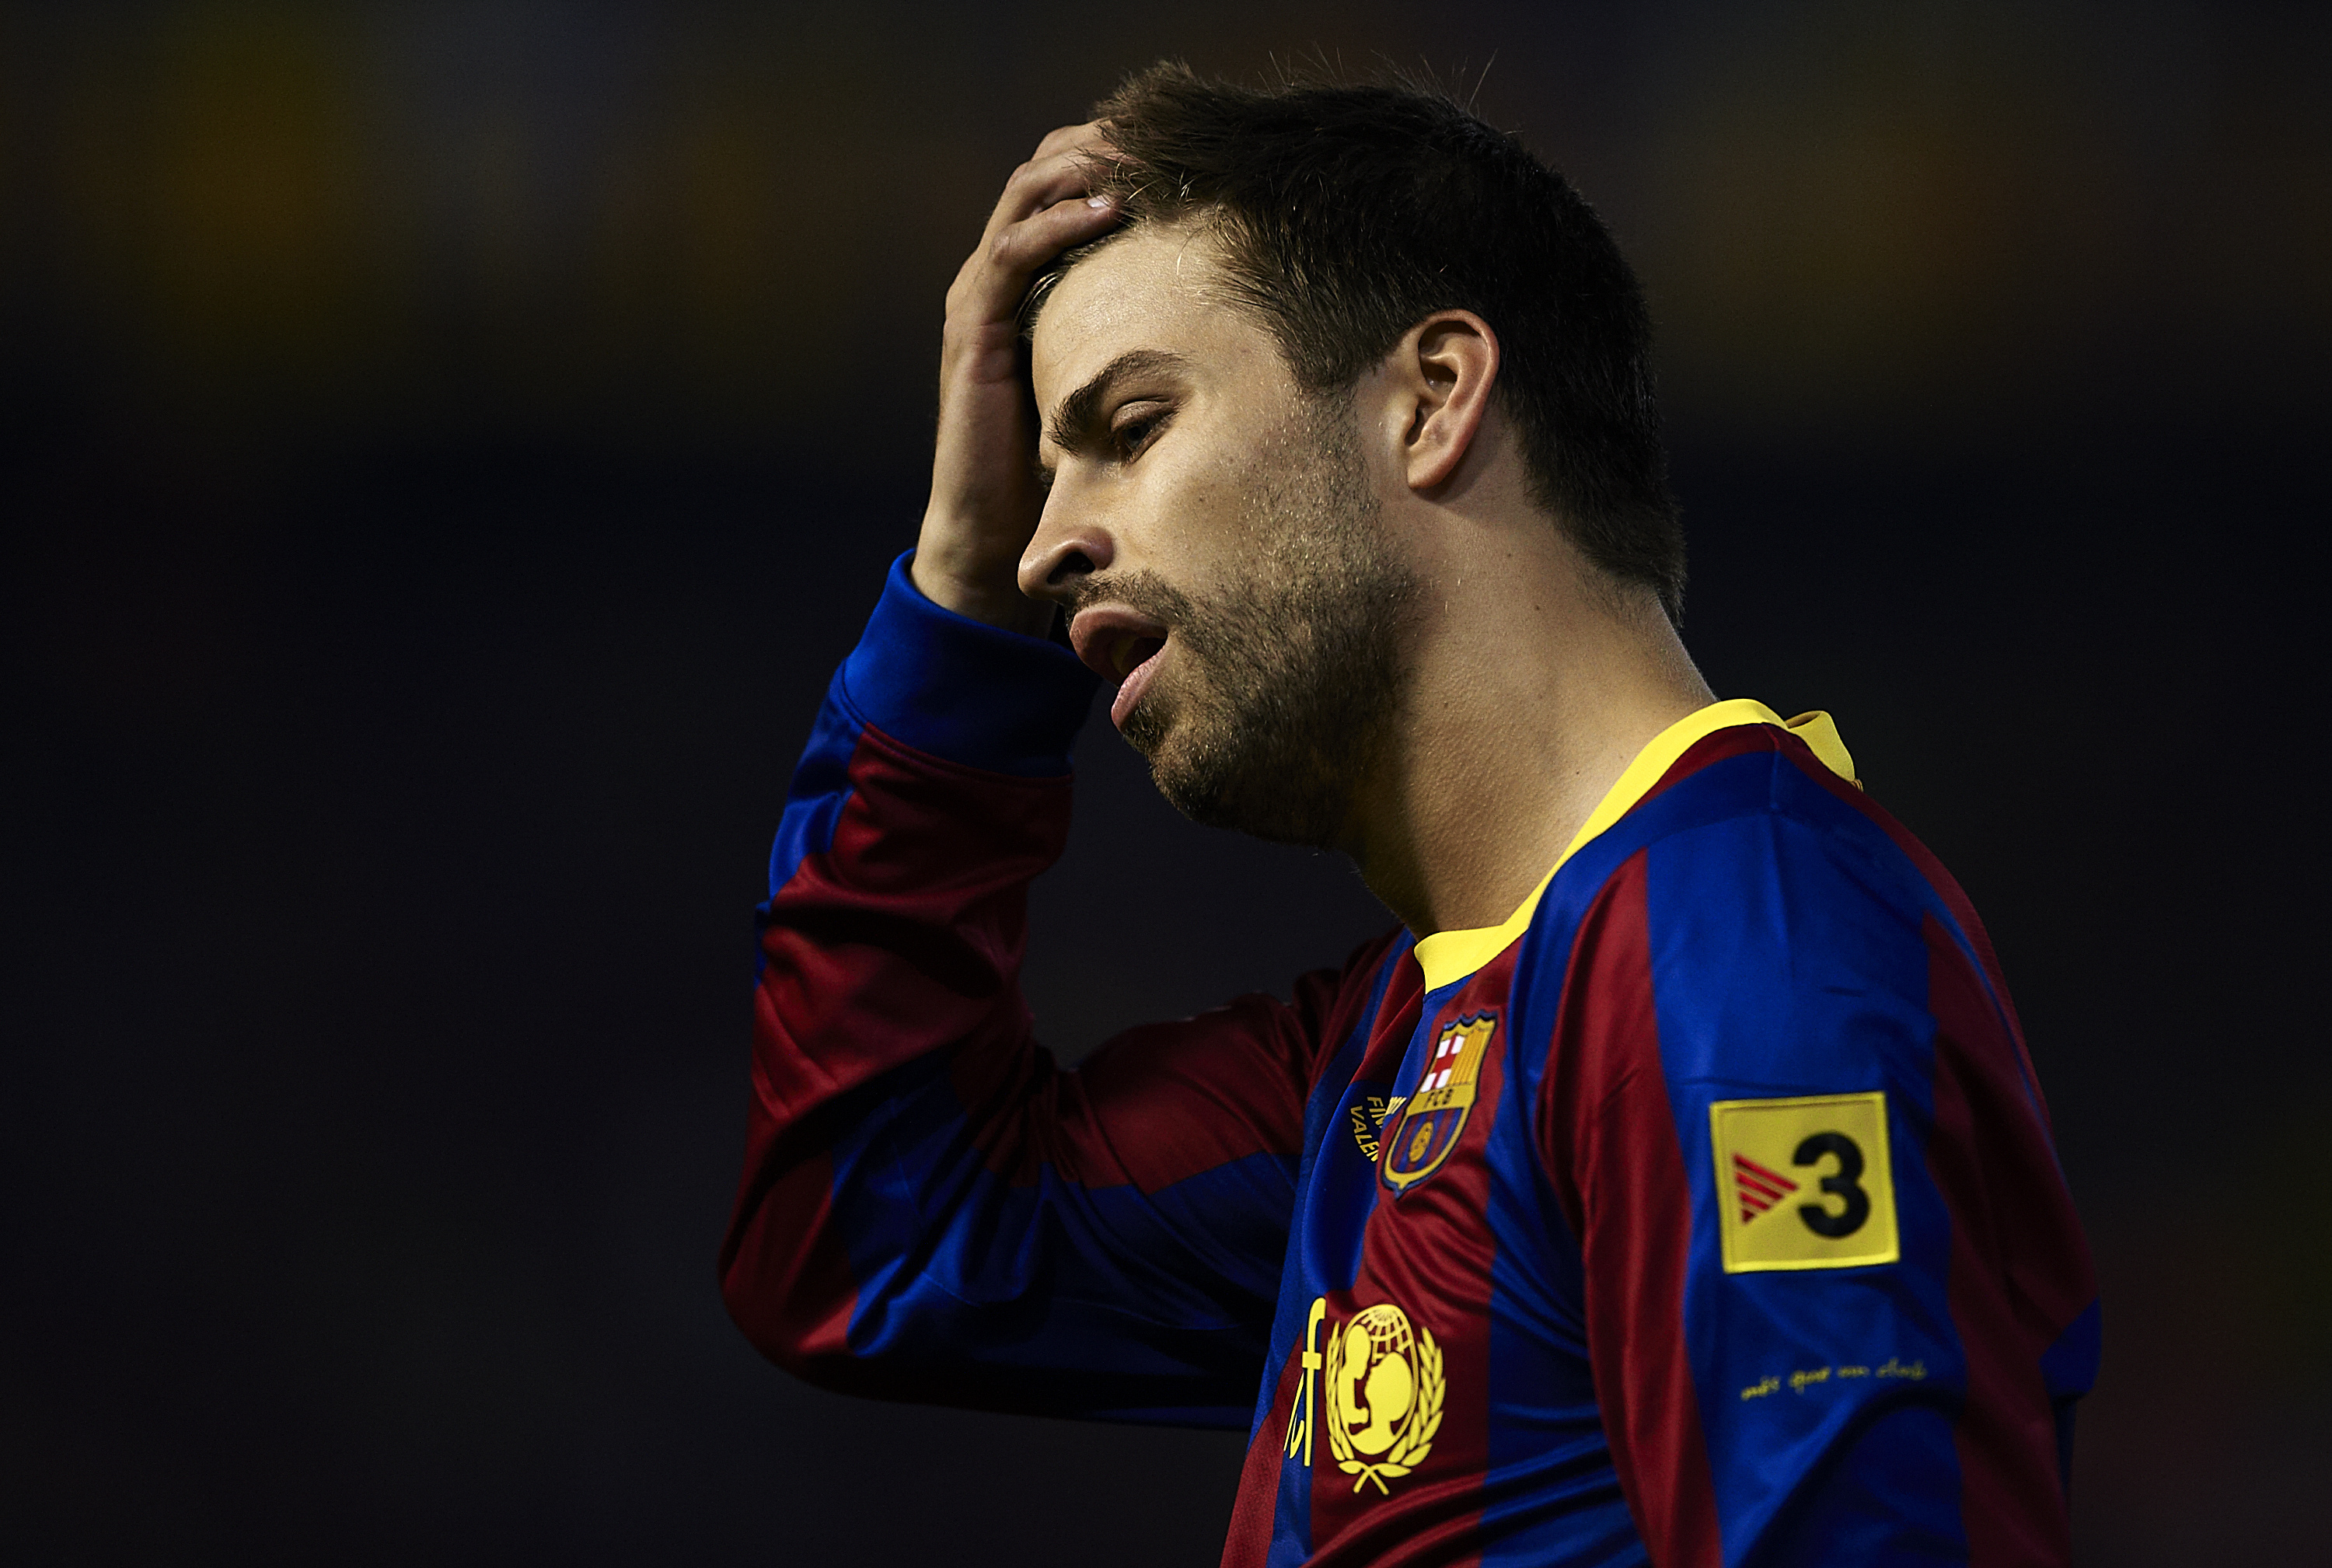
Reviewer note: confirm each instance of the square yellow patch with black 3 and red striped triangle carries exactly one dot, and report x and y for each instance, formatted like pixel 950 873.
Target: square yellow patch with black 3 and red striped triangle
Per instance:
pixel 1804 1184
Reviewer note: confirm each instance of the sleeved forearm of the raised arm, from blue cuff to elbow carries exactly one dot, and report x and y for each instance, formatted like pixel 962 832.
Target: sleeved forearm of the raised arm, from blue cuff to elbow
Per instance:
pixel 934 790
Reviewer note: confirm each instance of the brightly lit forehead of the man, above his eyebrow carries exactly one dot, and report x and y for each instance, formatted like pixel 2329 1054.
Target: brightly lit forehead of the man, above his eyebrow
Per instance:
pixel 1160 288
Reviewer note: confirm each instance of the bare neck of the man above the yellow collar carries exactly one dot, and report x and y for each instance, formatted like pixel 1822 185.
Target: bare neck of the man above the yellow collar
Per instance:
pixel 1533 689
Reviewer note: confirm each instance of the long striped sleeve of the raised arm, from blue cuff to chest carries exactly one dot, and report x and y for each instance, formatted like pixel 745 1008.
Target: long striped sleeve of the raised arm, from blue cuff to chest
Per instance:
pixel 929 1207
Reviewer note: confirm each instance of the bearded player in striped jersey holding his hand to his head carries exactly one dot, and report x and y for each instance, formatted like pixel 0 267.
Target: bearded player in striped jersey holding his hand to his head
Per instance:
pixel 1671 1186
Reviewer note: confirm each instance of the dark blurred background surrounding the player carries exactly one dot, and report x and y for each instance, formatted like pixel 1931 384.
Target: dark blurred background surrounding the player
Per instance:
pixel 444 447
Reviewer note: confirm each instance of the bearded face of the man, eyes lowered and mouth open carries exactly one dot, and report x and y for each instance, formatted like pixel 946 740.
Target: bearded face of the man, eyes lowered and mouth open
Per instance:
pixel 1218 542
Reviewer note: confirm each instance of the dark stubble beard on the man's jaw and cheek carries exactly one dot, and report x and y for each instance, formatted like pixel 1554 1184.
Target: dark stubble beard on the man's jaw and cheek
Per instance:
pixel 1286 689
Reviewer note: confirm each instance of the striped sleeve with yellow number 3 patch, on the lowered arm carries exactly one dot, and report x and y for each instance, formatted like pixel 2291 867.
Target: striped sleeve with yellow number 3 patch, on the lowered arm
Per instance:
pixel 1836 1296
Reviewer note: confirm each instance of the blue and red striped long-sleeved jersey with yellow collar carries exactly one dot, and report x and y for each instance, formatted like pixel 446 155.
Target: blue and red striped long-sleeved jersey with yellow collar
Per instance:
pixel 1706 1212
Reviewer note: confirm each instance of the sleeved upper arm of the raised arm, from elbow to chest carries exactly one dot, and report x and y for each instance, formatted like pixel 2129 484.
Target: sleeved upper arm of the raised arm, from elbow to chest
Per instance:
pixel 1079 1242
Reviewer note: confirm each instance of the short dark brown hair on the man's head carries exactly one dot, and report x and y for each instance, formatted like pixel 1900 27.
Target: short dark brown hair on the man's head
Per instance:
pixel 1354 211
